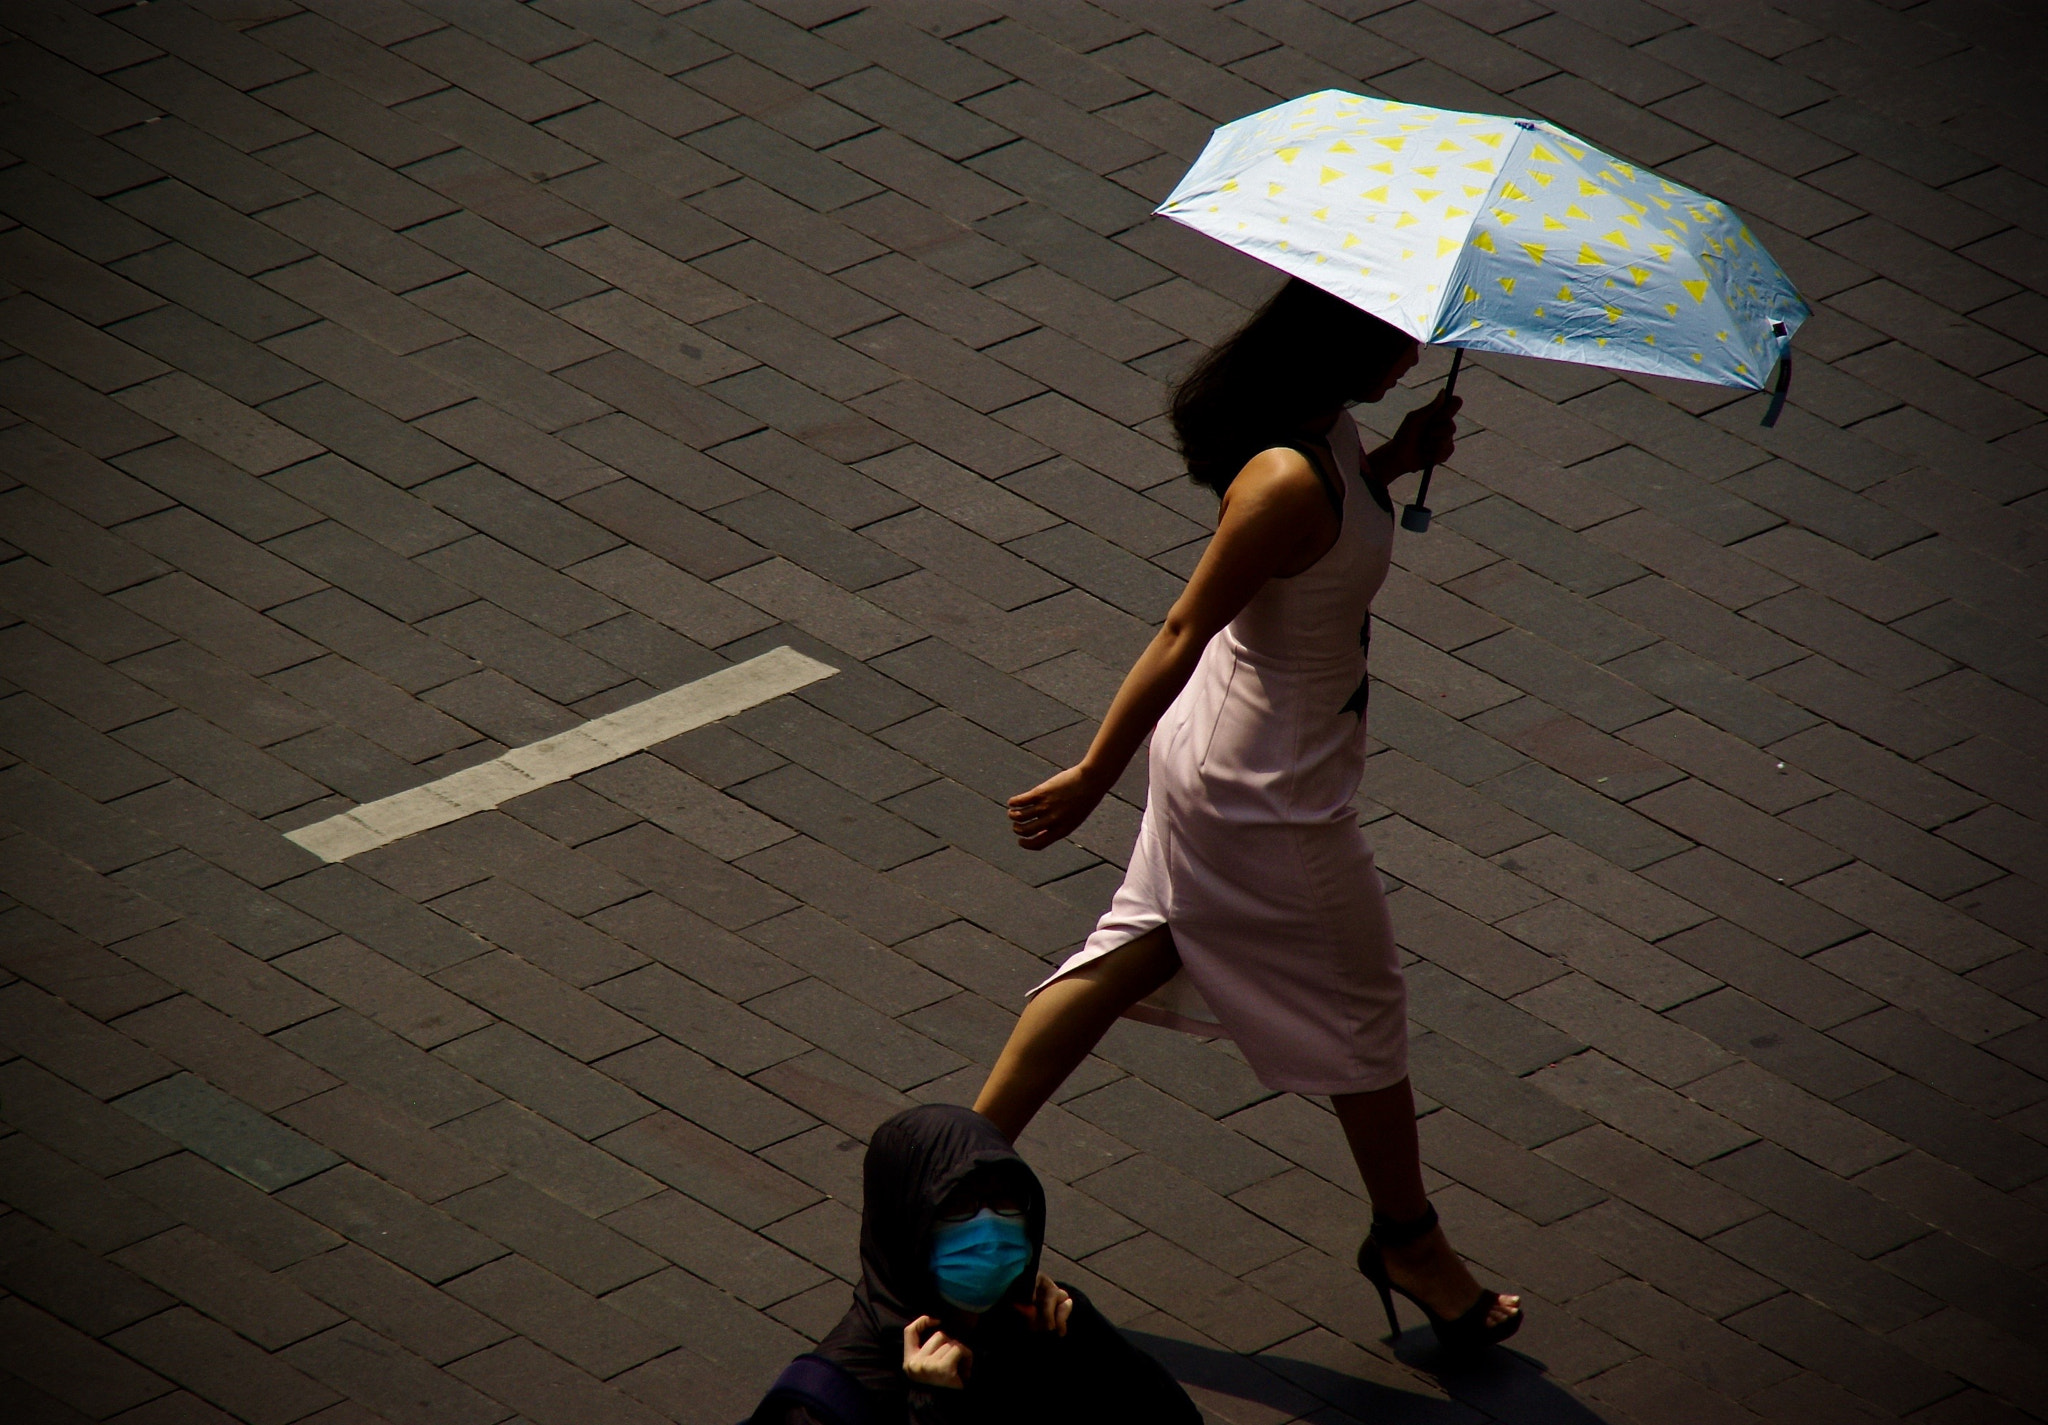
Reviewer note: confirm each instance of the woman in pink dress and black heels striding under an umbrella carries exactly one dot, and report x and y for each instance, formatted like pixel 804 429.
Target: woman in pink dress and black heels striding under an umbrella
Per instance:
pixel 1252 908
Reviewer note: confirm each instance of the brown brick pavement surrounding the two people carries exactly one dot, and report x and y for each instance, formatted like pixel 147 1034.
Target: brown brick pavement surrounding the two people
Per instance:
pixel 392 382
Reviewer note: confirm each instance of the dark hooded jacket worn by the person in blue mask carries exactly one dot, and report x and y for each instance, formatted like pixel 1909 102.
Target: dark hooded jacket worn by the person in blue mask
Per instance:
pixel 1019 1373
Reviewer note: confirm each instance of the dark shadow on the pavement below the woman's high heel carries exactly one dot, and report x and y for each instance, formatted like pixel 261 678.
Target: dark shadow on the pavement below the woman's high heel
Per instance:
pixel 1502 1385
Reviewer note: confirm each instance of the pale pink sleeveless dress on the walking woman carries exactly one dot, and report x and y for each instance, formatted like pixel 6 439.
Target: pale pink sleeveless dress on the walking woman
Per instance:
pixel 1250 849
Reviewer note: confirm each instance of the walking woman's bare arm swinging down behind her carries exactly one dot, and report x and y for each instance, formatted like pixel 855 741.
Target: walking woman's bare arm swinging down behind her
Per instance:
pixel 1275 521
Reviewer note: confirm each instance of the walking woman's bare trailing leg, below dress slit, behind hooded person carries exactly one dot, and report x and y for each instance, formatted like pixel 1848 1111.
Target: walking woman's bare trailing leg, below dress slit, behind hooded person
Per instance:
pixel 1064 1023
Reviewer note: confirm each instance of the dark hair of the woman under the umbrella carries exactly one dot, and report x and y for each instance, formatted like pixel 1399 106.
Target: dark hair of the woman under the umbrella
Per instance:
pixel 1297 359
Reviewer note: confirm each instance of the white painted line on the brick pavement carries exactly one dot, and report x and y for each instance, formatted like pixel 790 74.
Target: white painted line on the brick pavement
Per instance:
pixel 562 757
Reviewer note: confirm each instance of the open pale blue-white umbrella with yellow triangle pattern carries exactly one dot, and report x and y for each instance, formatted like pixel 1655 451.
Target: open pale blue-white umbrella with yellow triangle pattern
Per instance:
pixel 1496 234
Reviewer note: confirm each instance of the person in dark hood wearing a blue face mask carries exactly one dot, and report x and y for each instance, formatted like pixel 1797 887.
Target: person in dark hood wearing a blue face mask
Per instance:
pixel 953 1324
